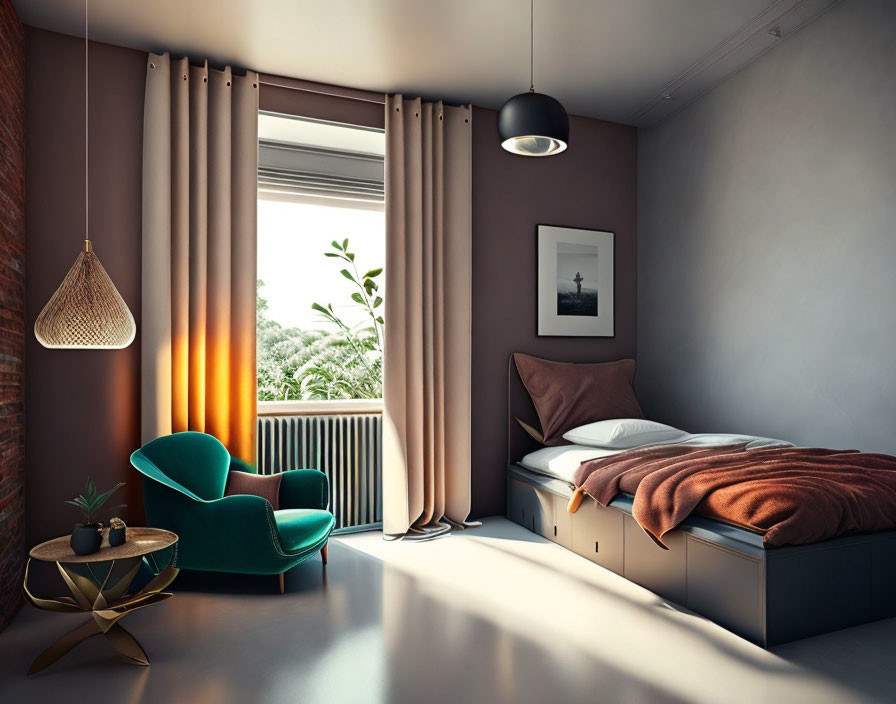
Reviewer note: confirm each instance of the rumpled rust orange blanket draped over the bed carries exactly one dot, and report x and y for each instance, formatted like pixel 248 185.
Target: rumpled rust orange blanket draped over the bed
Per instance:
pixel 791 495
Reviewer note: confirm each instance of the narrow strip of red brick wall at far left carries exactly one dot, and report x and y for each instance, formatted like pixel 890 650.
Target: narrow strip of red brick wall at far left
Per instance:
pixel 12 310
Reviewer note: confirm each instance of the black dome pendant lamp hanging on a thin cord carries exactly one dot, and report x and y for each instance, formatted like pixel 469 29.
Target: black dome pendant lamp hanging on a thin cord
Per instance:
pixel 533 124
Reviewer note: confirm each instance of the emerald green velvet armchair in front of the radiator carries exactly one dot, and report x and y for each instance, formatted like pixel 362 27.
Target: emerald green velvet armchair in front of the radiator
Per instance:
pixel 184 476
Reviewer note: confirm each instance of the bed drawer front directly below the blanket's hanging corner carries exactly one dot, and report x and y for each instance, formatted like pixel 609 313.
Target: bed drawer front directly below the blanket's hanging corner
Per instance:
pixel 663 572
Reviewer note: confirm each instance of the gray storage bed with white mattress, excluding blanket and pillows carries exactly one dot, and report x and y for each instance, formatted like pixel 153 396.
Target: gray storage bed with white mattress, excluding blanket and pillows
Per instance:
pixel 768 595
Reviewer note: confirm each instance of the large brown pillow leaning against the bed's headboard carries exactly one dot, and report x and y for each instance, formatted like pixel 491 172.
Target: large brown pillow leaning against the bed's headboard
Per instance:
pixel 568 395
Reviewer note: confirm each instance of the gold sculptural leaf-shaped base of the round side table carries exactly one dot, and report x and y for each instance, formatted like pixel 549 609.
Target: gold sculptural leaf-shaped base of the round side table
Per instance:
pixel 105 598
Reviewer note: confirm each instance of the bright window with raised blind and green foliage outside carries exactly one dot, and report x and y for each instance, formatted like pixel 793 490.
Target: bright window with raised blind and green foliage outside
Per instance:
pixel 321 251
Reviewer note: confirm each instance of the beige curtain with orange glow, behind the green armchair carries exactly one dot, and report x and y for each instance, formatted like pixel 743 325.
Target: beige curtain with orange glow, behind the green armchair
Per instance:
pixel 200 164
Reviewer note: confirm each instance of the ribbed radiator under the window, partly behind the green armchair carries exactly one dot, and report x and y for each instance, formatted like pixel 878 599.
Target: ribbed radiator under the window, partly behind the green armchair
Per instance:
pixel 347 448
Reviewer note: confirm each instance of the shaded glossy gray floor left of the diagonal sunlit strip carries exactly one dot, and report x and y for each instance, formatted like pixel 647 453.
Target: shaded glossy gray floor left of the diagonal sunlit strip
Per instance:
pixel 376 635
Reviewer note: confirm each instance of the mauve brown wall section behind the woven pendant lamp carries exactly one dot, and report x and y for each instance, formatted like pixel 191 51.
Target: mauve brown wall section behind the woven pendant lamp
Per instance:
pixel 83 405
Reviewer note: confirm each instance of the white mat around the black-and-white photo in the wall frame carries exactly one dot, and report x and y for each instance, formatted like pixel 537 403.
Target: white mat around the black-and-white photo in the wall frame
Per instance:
pixel 549 323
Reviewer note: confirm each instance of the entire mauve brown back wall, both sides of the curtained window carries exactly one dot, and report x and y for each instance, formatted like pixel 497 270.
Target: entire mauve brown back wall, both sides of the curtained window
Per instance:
pixel 84 405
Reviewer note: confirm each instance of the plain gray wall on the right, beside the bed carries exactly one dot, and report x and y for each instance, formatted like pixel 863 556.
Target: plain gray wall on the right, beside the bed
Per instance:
pixel 767 243
